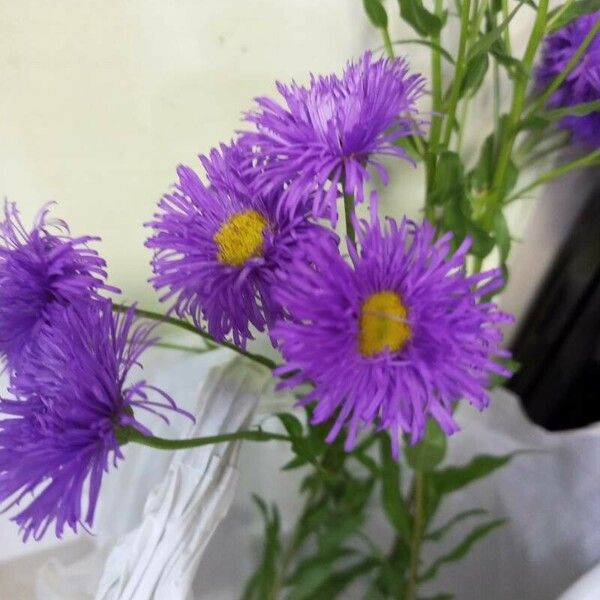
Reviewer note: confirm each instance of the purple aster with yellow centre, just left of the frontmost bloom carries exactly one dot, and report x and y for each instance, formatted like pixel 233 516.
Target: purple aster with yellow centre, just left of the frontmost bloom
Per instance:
pixel 219 249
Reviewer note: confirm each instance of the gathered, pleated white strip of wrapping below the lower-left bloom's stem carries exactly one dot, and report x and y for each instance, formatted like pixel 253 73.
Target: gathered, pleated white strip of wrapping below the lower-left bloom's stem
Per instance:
pixel 159 558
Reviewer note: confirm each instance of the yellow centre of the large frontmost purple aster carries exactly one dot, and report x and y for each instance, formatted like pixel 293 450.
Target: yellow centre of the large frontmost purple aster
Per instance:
pixel 383 324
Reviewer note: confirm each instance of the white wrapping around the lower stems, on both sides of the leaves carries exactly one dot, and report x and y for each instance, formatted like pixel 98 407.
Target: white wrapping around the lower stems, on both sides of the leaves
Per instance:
pixel 550 497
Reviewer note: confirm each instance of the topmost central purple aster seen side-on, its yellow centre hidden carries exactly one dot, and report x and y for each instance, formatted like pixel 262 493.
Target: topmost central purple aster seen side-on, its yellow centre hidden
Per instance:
pixel 330 133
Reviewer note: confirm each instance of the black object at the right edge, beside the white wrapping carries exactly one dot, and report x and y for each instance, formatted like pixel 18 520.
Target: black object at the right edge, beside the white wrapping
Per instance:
pixel 558 344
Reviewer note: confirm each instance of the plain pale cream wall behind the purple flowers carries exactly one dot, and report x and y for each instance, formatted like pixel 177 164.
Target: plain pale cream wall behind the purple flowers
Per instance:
pixel 100 100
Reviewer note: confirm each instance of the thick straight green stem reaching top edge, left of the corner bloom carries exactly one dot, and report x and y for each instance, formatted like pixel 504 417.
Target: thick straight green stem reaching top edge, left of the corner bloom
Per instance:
pixel 516 109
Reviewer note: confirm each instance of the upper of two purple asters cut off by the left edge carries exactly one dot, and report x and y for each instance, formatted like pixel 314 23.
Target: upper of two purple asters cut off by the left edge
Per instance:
pixel 40 268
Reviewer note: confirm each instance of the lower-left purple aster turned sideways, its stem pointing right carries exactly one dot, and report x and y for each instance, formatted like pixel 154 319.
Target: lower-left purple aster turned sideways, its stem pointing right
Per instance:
pixel 60 434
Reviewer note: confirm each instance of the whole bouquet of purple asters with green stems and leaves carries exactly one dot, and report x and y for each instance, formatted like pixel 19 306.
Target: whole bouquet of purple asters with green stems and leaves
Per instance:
pixel 382 326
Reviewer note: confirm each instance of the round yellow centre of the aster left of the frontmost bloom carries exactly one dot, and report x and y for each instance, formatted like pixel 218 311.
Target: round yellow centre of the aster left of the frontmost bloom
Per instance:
pixel 240 237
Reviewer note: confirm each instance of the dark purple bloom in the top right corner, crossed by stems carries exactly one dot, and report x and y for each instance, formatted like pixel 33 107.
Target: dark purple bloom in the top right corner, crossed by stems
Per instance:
pixel 582 84
